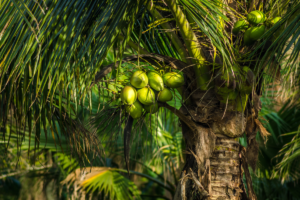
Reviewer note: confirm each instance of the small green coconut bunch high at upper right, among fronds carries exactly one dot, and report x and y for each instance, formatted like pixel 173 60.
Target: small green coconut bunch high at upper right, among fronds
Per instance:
pixel 254 26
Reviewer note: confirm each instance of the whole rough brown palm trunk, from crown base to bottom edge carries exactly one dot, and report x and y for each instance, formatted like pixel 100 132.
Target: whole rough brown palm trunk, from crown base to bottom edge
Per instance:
pixel 213 162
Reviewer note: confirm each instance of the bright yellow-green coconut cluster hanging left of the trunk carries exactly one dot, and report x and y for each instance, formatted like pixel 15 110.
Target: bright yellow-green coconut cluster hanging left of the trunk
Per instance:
pixel 146 89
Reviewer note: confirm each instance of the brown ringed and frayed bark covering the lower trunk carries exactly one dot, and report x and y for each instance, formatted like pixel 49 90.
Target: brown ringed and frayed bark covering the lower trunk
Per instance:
pixel 216 177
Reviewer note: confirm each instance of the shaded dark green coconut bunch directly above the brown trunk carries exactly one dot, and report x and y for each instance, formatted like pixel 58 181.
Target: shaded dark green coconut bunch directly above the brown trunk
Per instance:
pixel 234 85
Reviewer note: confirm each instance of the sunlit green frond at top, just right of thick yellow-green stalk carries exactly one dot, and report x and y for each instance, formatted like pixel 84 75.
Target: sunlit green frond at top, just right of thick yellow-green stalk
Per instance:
pixel 208 16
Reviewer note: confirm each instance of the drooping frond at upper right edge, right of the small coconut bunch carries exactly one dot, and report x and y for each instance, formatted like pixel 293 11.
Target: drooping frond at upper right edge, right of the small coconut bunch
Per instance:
pixel 279 50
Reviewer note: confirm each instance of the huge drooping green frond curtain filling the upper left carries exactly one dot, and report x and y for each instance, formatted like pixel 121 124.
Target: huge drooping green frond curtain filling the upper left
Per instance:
pixel 49 55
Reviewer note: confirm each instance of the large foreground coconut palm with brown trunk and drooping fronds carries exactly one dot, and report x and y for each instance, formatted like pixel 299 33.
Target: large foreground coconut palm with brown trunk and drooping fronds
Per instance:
pixel 52 59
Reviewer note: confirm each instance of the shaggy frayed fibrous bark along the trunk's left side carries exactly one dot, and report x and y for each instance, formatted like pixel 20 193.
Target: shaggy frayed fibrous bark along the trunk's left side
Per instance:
pixel 200 146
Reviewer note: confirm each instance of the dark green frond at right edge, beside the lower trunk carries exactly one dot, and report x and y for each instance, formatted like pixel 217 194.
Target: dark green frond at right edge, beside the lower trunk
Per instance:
pixel 278 158
